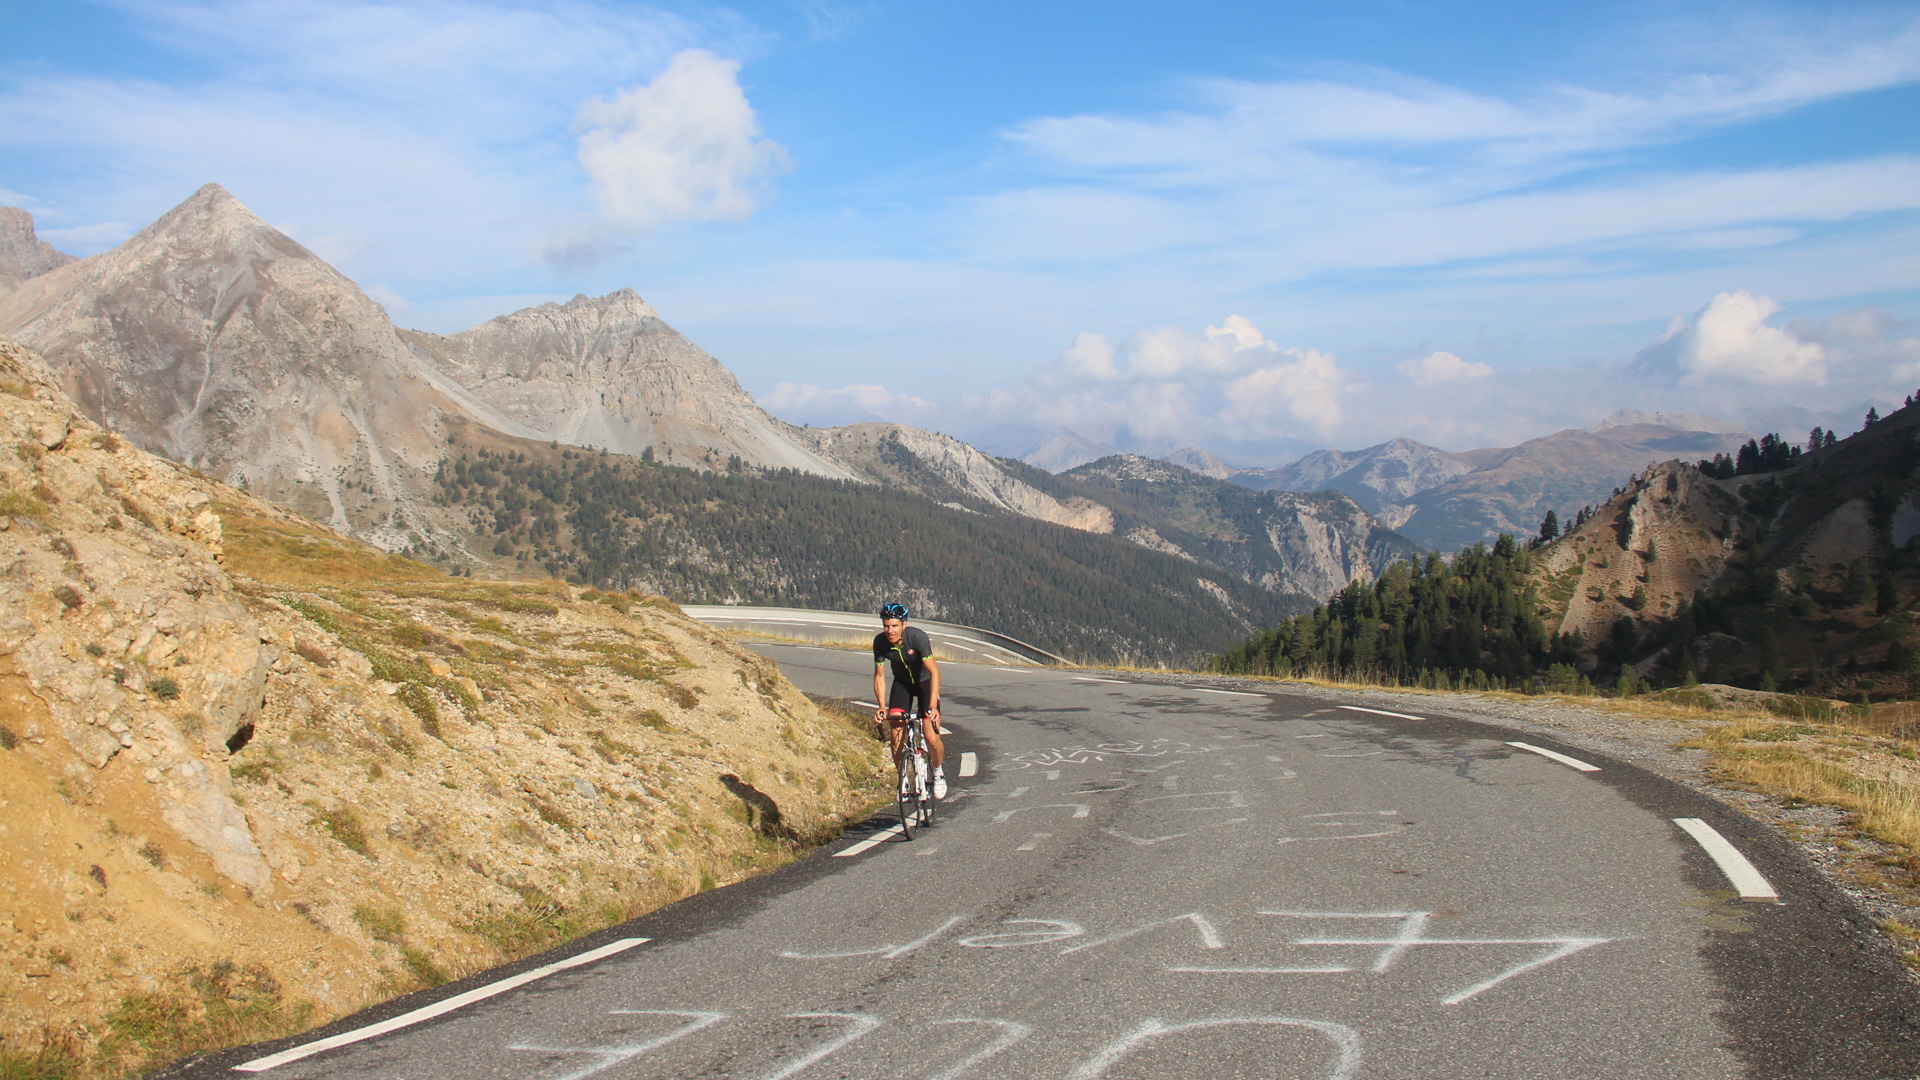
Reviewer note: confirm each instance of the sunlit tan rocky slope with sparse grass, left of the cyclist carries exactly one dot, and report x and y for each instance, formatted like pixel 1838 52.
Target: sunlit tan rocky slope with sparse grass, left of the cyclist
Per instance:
pixel 254 777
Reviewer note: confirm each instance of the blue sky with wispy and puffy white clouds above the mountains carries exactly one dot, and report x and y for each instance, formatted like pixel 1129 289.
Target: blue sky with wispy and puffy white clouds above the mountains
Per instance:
pixel 1245 228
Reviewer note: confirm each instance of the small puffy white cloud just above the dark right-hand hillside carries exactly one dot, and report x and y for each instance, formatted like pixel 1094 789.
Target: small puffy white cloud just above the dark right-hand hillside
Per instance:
pixel 1731 341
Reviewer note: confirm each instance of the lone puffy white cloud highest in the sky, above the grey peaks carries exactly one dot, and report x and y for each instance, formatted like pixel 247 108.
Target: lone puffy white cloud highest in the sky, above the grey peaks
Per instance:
pixel 684 147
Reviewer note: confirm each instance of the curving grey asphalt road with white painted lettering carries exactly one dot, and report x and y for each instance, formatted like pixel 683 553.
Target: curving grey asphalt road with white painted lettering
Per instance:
pixel 1145 879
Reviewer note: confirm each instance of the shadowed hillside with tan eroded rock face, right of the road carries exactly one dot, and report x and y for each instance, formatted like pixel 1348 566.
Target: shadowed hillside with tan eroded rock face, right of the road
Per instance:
pixel 1800 579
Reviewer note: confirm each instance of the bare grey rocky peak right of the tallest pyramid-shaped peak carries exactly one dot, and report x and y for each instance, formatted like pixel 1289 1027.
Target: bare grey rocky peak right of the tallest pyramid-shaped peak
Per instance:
pixel 612 374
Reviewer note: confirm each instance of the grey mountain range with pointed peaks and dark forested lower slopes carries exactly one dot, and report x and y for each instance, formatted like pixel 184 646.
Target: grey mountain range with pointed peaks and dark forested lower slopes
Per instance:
pixel 226 345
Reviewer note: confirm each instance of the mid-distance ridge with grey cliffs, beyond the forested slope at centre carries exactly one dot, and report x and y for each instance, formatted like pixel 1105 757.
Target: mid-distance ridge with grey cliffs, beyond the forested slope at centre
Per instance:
pixel 1307 547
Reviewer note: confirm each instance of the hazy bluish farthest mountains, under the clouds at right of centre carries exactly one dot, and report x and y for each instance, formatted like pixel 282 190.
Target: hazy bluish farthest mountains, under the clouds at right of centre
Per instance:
pixel 1447 501
